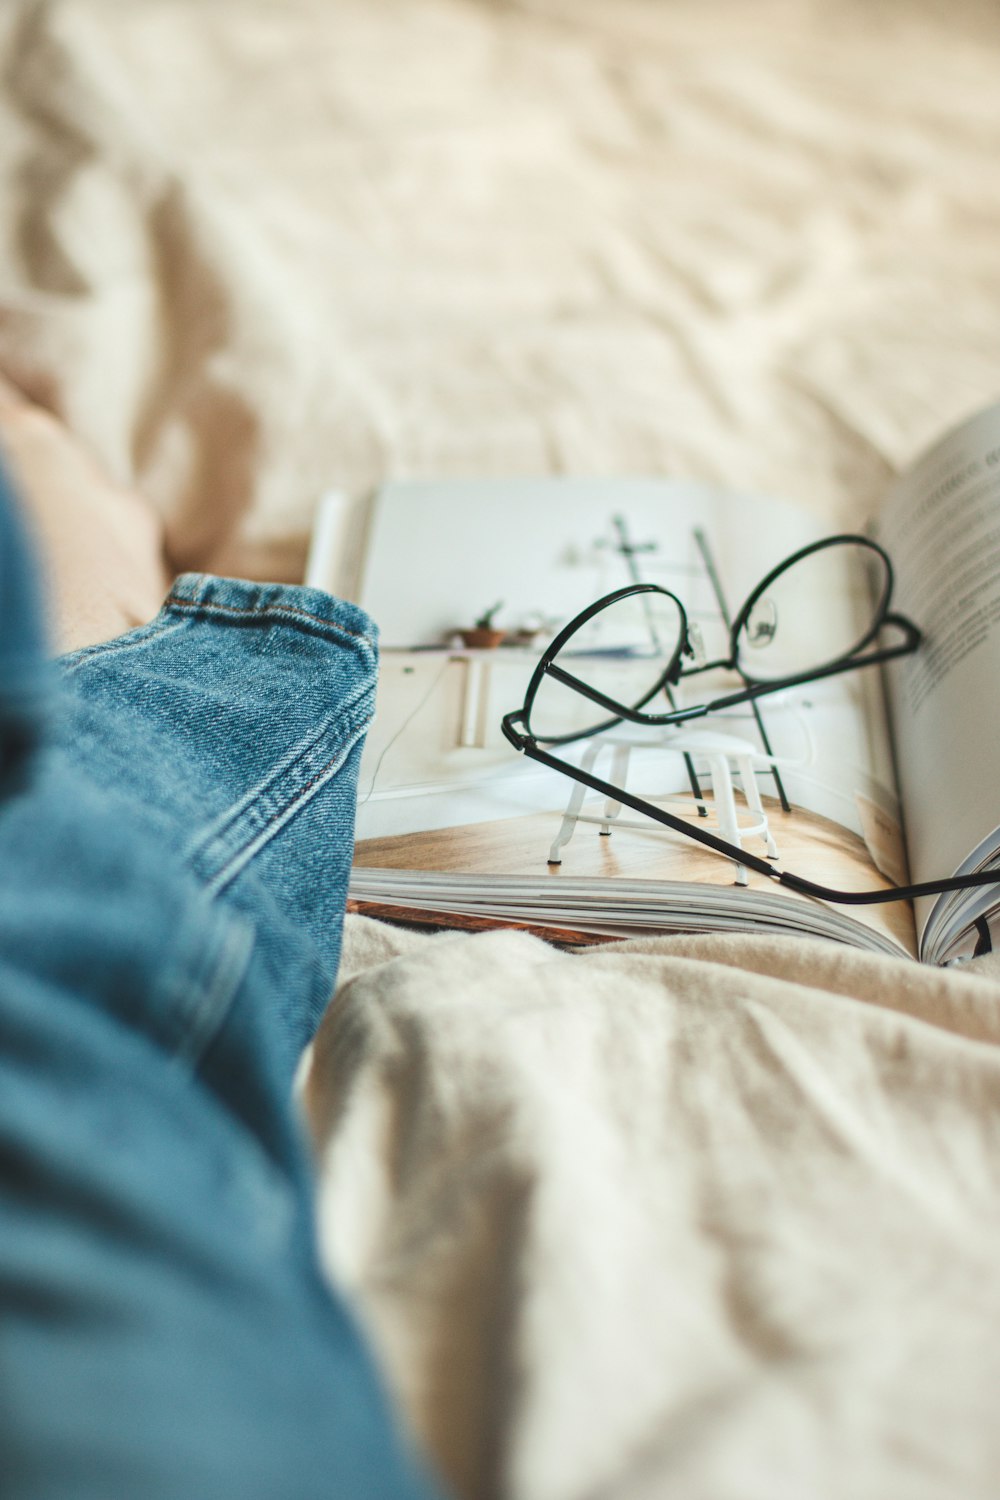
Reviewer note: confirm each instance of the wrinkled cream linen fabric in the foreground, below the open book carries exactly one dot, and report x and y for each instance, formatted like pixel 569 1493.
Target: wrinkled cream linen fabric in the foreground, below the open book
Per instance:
pixel 698 1217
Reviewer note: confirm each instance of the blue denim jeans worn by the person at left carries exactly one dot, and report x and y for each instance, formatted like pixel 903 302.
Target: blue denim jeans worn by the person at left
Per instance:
pixel 176 830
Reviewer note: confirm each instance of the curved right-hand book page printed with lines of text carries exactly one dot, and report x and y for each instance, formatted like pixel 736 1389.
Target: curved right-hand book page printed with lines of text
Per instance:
pixel 942 529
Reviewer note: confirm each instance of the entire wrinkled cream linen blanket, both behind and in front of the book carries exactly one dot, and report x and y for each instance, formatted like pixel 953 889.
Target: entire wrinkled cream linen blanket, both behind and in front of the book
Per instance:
pixel 687 1220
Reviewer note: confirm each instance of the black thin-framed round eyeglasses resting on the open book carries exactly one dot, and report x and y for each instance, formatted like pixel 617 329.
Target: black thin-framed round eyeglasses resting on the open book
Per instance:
pixel 774 644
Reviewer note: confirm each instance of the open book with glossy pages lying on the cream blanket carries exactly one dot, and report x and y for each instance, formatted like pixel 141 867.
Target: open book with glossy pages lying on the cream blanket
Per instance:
pixel 857 781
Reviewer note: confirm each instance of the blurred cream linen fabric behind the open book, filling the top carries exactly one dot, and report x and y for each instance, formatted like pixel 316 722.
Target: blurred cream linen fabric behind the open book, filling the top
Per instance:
pixel 259 250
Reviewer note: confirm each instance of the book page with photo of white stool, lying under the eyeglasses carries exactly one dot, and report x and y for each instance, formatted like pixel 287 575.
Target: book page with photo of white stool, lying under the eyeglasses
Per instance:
pixel 443 791
